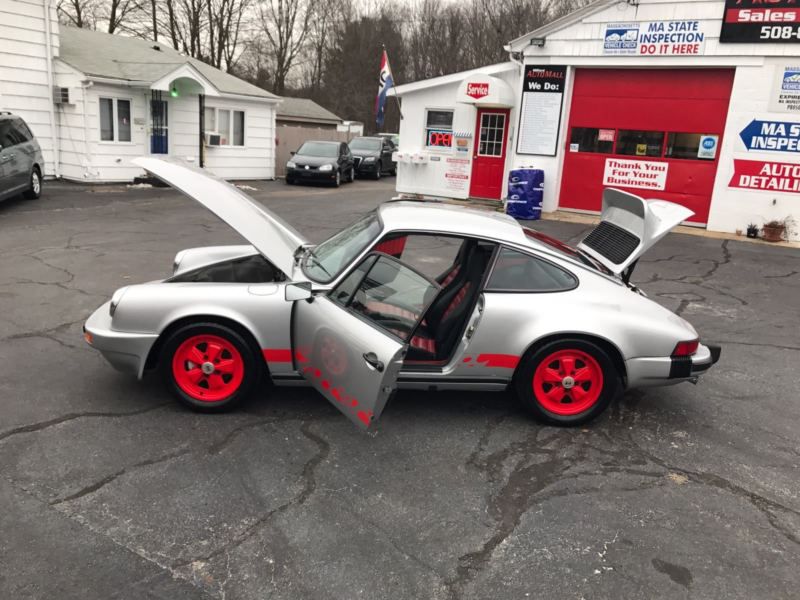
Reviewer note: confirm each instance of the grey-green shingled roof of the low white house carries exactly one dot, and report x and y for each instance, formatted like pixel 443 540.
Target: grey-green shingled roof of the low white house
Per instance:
pixel 128 59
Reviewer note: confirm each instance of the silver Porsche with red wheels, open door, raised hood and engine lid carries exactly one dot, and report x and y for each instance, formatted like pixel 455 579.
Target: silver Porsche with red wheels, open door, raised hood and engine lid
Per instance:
pixel 413 295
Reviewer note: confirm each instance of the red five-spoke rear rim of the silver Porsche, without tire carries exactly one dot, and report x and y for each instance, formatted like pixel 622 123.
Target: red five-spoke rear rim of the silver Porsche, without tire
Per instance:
pixel 568 382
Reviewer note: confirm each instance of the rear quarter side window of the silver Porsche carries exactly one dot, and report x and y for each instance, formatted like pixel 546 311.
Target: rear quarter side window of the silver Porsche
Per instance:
pixel 518 272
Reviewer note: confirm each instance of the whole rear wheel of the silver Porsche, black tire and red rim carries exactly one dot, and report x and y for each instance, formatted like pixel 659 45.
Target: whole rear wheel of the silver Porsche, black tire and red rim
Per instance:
pixel 607 385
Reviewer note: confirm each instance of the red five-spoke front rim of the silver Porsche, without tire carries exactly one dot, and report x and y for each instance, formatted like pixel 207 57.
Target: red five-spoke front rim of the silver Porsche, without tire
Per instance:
pixel 208 368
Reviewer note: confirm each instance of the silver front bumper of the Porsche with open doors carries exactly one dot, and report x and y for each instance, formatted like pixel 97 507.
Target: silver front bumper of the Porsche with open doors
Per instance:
pixel 127 352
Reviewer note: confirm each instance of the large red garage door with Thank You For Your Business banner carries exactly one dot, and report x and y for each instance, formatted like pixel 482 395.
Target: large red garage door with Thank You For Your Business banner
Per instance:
pixel 655 133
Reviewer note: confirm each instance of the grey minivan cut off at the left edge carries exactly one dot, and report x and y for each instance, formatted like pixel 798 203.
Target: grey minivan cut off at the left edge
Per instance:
pixel 21 160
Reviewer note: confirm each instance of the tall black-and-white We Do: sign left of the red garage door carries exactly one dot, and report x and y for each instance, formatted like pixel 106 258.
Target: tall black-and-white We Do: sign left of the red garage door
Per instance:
pixel 540 112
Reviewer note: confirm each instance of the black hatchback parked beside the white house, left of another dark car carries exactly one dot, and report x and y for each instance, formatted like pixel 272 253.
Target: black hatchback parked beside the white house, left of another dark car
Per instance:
pixel 326 162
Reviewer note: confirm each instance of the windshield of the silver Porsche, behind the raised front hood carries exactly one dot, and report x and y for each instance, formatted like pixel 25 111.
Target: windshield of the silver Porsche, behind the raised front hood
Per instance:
pixel 323 263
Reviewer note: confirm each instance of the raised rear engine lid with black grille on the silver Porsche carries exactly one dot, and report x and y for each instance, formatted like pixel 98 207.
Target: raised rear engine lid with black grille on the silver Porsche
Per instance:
pixel 629 227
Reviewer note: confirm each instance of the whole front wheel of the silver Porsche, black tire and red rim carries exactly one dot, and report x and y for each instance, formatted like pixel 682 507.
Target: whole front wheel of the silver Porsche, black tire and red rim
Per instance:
pixel 210 367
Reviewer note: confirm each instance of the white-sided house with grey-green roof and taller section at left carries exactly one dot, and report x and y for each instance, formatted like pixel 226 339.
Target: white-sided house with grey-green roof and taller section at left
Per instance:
pixel 94 101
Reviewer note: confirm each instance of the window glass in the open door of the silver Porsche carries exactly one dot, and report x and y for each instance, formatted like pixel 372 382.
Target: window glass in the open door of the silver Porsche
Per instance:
pixel 386 293
